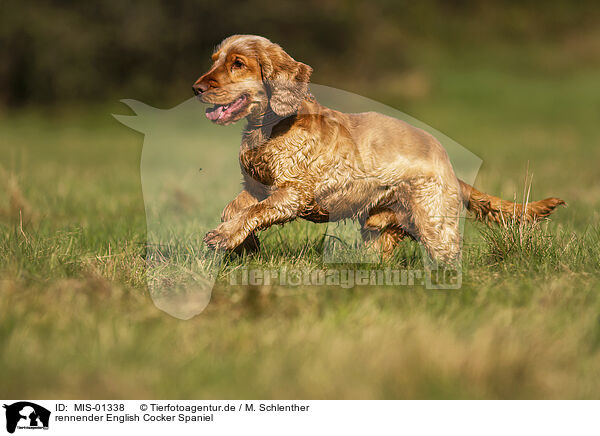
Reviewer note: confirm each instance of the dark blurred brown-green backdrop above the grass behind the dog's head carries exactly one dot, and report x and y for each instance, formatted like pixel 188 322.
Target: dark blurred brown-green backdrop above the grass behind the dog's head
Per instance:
pixel 59 52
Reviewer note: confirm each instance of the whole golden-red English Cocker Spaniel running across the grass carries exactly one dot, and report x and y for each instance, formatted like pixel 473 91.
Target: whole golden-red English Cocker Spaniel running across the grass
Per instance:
pixel 302 160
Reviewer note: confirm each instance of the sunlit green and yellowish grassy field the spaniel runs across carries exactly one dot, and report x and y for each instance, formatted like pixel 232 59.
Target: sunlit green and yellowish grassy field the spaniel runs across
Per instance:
pixel 77 320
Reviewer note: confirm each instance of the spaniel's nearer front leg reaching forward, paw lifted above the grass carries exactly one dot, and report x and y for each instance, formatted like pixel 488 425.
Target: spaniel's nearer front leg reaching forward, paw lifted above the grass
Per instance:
pixel 280 207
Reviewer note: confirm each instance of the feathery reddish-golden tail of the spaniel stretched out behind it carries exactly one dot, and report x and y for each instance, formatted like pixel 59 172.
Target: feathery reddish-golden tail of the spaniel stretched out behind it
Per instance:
pixel 486 207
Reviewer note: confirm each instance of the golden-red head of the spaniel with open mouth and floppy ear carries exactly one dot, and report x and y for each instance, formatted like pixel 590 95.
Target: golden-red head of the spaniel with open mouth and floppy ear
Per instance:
pixel 249 74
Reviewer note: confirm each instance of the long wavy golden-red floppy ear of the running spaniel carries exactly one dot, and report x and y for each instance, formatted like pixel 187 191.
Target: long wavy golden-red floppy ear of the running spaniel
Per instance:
pixel 286 79
